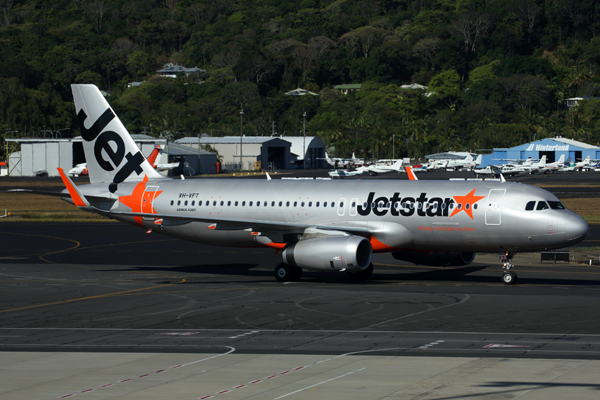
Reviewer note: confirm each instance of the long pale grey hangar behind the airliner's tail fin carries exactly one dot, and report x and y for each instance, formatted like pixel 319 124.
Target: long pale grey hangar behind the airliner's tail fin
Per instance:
pixel 29 156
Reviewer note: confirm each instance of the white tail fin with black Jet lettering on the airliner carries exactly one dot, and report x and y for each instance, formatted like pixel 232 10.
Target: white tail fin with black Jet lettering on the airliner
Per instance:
pixel 111 154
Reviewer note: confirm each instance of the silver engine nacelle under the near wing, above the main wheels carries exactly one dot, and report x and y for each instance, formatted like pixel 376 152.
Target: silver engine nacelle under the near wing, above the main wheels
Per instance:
pixel 351 253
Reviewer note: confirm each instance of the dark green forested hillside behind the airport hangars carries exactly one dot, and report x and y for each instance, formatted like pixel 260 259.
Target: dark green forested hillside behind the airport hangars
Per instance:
pixel 498 71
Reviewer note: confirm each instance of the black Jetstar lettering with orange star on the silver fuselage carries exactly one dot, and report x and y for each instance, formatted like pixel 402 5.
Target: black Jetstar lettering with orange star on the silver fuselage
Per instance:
pixel 423 206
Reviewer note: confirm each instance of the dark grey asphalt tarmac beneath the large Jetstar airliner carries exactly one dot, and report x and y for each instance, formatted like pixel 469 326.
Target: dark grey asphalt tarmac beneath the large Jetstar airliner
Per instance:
pixel 104 310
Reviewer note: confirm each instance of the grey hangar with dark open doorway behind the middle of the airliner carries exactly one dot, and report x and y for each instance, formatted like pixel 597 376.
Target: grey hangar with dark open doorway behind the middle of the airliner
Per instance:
pixel 264 152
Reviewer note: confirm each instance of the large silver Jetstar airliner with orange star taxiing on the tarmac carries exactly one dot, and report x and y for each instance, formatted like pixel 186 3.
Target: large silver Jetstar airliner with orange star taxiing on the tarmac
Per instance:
pixel 320 225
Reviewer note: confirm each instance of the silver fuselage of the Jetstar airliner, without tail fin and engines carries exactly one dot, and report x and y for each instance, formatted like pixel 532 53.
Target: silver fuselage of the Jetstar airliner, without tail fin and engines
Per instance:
pixel 414 215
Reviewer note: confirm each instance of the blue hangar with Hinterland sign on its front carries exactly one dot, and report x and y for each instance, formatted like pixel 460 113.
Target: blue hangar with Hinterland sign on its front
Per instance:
pixel 552 148
